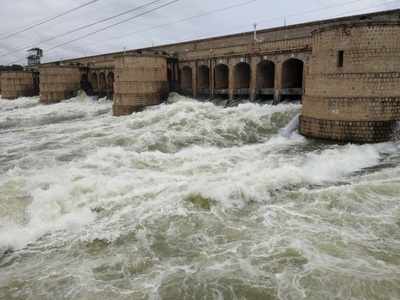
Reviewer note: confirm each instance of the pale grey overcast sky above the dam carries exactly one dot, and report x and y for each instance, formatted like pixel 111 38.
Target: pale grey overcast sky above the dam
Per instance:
pixel 18 14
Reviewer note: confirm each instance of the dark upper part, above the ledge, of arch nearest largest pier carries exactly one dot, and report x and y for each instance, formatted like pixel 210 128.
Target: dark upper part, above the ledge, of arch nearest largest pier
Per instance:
pixel 292 74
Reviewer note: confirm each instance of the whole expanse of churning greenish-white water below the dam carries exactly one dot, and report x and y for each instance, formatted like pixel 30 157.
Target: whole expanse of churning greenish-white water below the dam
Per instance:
pixel 190 200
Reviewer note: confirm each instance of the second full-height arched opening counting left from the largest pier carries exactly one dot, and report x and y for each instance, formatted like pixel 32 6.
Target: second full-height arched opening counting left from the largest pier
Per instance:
pixel 265 80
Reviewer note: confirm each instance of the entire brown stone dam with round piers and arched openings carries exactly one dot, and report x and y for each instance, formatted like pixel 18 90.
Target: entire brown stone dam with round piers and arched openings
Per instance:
pixel 345 70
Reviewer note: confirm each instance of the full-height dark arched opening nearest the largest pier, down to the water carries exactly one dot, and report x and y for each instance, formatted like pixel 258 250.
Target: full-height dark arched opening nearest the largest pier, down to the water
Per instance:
pixel 292 78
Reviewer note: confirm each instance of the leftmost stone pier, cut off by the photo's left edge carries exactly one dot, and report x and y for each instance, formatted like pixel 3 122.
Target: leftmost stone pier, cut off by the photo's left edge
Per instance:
pixel 16 84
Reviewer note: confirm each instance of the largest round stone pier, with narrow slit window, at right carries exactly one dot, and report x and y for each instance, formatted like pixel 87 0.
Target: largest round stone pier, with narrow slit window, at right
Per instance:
pixel 353 87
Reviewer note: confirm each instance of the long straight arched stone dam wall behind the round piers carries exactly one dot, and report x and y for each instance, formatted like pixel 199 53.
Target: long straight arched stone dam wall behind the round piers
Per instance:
pixel 273 66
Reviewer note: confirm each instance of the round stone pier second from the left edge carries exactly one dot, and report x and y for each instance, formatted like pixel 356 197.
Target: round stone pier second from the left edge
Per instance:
pixel 58 83
